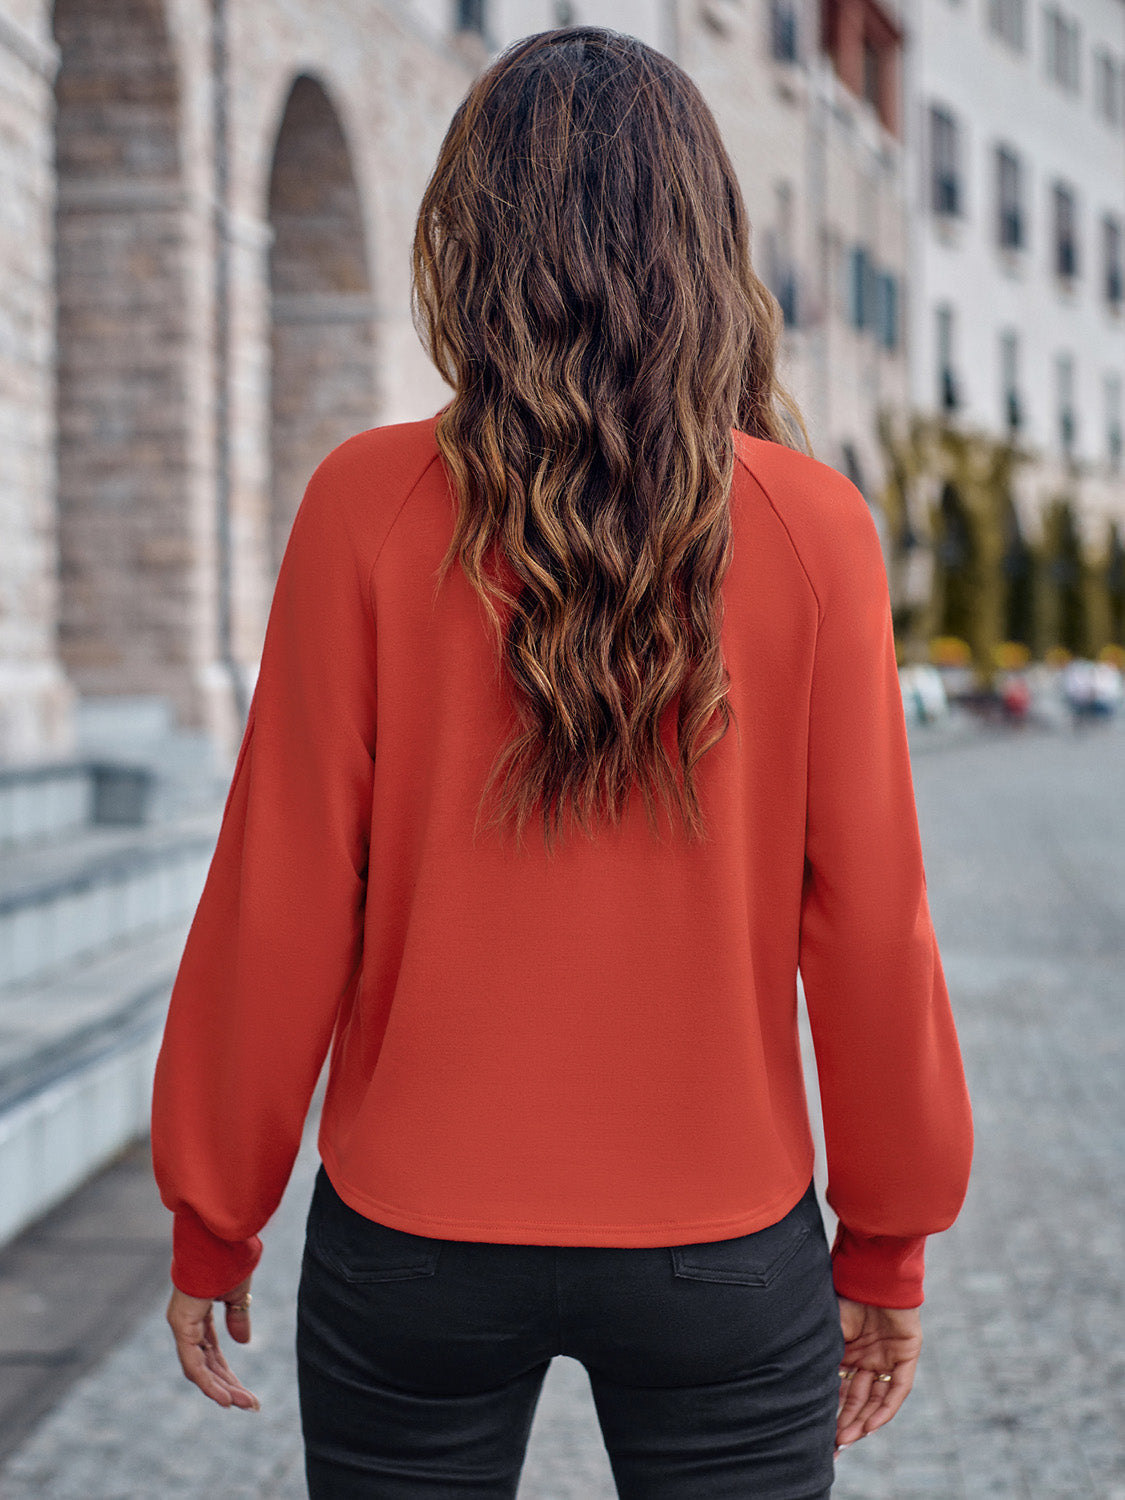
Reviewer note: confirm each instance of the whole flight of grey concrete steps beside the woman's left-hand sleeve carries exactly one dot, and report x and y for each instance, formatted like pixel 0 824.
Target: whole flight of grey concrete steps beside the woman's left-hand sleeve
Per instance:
pixel 103 862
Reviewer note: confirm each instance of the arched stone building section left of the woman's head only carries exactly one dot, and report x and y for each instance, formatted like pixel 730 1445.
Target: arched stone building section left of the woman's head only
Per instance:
pixel 205 224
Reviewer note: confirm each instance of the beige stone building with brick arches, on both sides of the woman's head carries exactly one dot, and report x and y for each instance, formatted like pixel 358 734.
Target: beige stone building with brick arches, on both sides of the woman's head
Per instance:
pixel 206 223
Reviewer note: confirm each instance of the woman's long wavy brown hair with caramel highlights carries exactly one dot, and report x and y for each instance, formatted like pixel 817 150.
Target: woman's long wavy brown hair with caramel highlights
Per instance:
pixel 581 278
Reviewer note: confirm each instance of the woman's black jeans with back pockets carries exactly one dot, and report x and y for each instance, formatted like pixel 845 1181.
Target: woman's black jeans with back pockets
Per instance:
pixel 421 1361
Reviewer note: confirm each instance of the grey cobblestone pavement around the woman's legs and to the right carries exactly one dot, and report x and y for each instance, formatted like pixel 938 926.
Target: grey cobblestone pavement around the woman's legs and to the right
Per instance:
pixel 1022 1387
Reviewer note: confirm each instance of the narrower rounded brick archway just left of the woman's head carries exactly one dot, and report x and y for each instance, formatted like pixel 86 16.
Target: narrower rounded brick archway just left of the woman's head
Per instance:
pixel 323 317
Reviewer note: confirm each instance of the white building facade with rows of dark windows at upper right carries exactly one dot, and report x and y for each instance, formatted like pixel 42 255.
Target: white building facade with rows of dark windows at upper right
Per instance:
pixel 1018 197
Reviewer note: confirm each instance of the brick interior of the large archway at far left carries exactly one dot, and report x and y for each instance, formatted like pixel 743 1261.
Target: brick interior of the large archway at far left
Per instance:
pixel 127 550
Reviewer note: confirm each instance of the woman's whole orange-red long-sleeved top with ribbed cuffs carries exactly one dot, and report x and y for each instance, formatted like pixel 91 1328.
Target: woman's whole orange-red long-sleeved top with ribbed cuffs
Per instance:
pixel 598 1048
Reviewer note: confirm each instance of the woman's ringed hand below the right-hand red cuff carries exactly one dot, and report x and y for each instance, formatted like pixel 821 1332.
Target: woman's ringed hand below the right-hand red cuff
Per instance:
pixel 877 1342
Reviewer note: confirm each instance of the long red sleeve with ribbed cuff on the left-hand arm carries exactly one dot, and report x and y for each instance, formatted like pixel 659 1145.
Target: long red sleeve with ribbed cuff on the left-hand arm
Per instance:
pixel 277 940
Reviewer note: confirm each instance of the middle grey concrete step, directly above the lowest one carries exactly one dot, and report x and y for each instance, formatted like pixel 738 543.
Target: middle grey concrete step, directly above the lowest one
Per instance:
pixel 67 899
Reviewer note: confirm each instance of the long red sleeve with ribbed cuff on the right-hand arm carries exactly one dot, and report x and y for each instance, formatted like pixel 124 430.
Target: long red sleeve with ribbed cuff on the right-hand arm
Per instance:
pixel 895 1100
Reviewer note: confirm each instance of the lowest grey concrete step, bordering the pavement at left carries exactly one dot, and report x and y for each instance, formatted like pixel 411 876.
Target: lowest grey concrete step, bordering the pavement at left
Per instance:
pixel 77 1057
